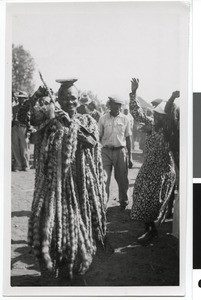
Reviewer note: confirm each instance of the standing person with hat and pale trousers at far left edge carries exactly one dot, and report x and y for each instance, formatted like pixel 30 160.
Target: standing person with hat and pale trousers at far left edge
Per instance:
pixel 20 129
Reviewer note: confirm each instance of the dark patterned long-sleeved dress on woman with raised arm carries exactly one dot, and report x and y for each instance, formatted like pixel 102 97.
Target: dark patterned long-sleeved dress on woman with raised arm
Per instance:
pixel 155 180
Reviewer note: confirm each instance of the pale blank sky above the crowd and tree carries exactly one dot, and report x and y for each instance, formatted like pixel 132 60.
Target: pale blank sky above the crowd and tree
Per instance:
pixel 104 45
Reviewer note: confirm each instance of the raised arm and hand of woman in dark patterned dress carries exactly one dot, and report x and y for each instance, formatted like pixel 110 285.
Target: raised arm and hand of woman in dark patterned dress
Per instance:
pixel 135 108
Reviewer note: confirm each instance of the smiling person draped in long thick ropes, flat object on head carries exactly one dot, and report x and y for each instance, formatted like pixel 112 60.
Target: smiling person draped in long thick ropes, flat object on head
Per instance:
pixel 68 210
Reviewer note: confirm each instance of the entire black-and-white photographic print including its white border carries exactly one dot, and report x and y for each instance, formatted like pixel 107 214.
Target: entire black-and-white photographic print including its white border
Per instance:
pixel 96 119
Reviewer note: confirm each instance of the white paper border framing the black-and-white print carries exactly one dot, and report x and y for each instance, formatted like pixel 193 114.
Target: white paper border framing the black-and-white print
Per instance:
pixel 108 291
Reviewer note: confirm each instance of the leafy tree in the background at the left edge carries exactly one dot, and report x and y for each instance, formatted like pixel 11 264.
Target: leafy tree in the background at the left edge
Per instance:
pixel 23 67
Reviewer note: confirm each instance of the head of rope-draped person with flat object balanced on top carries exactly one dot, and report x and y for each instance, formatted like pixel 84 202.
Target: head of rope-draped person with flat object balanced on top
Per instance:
pixel 68 96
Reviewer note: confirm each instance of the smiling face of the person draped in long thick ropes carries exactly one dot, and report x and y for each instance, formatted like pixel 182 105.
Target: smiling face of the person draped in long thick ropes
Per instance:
pixel 68 99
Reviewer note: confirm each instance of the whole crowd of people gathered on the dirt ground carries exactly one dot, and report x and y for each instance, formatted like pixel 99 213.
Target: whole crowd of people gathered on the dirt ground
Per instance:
pixel 76 148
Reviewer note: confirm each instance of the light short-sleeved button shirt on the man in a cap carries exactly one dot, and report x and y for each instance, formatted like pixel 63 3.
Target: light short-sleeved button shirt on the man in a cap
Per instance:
pixel 114 130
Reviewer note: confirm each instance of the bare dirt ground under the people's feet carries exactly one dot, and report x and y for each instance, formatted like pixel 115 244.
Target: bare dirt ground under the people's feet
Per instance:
pixel 123 263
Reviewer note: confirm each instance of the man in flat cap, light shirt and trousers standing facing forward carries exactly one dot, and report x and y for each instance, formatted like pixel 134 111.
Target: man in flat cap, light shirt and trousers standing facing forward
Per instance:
pixel 115 136
